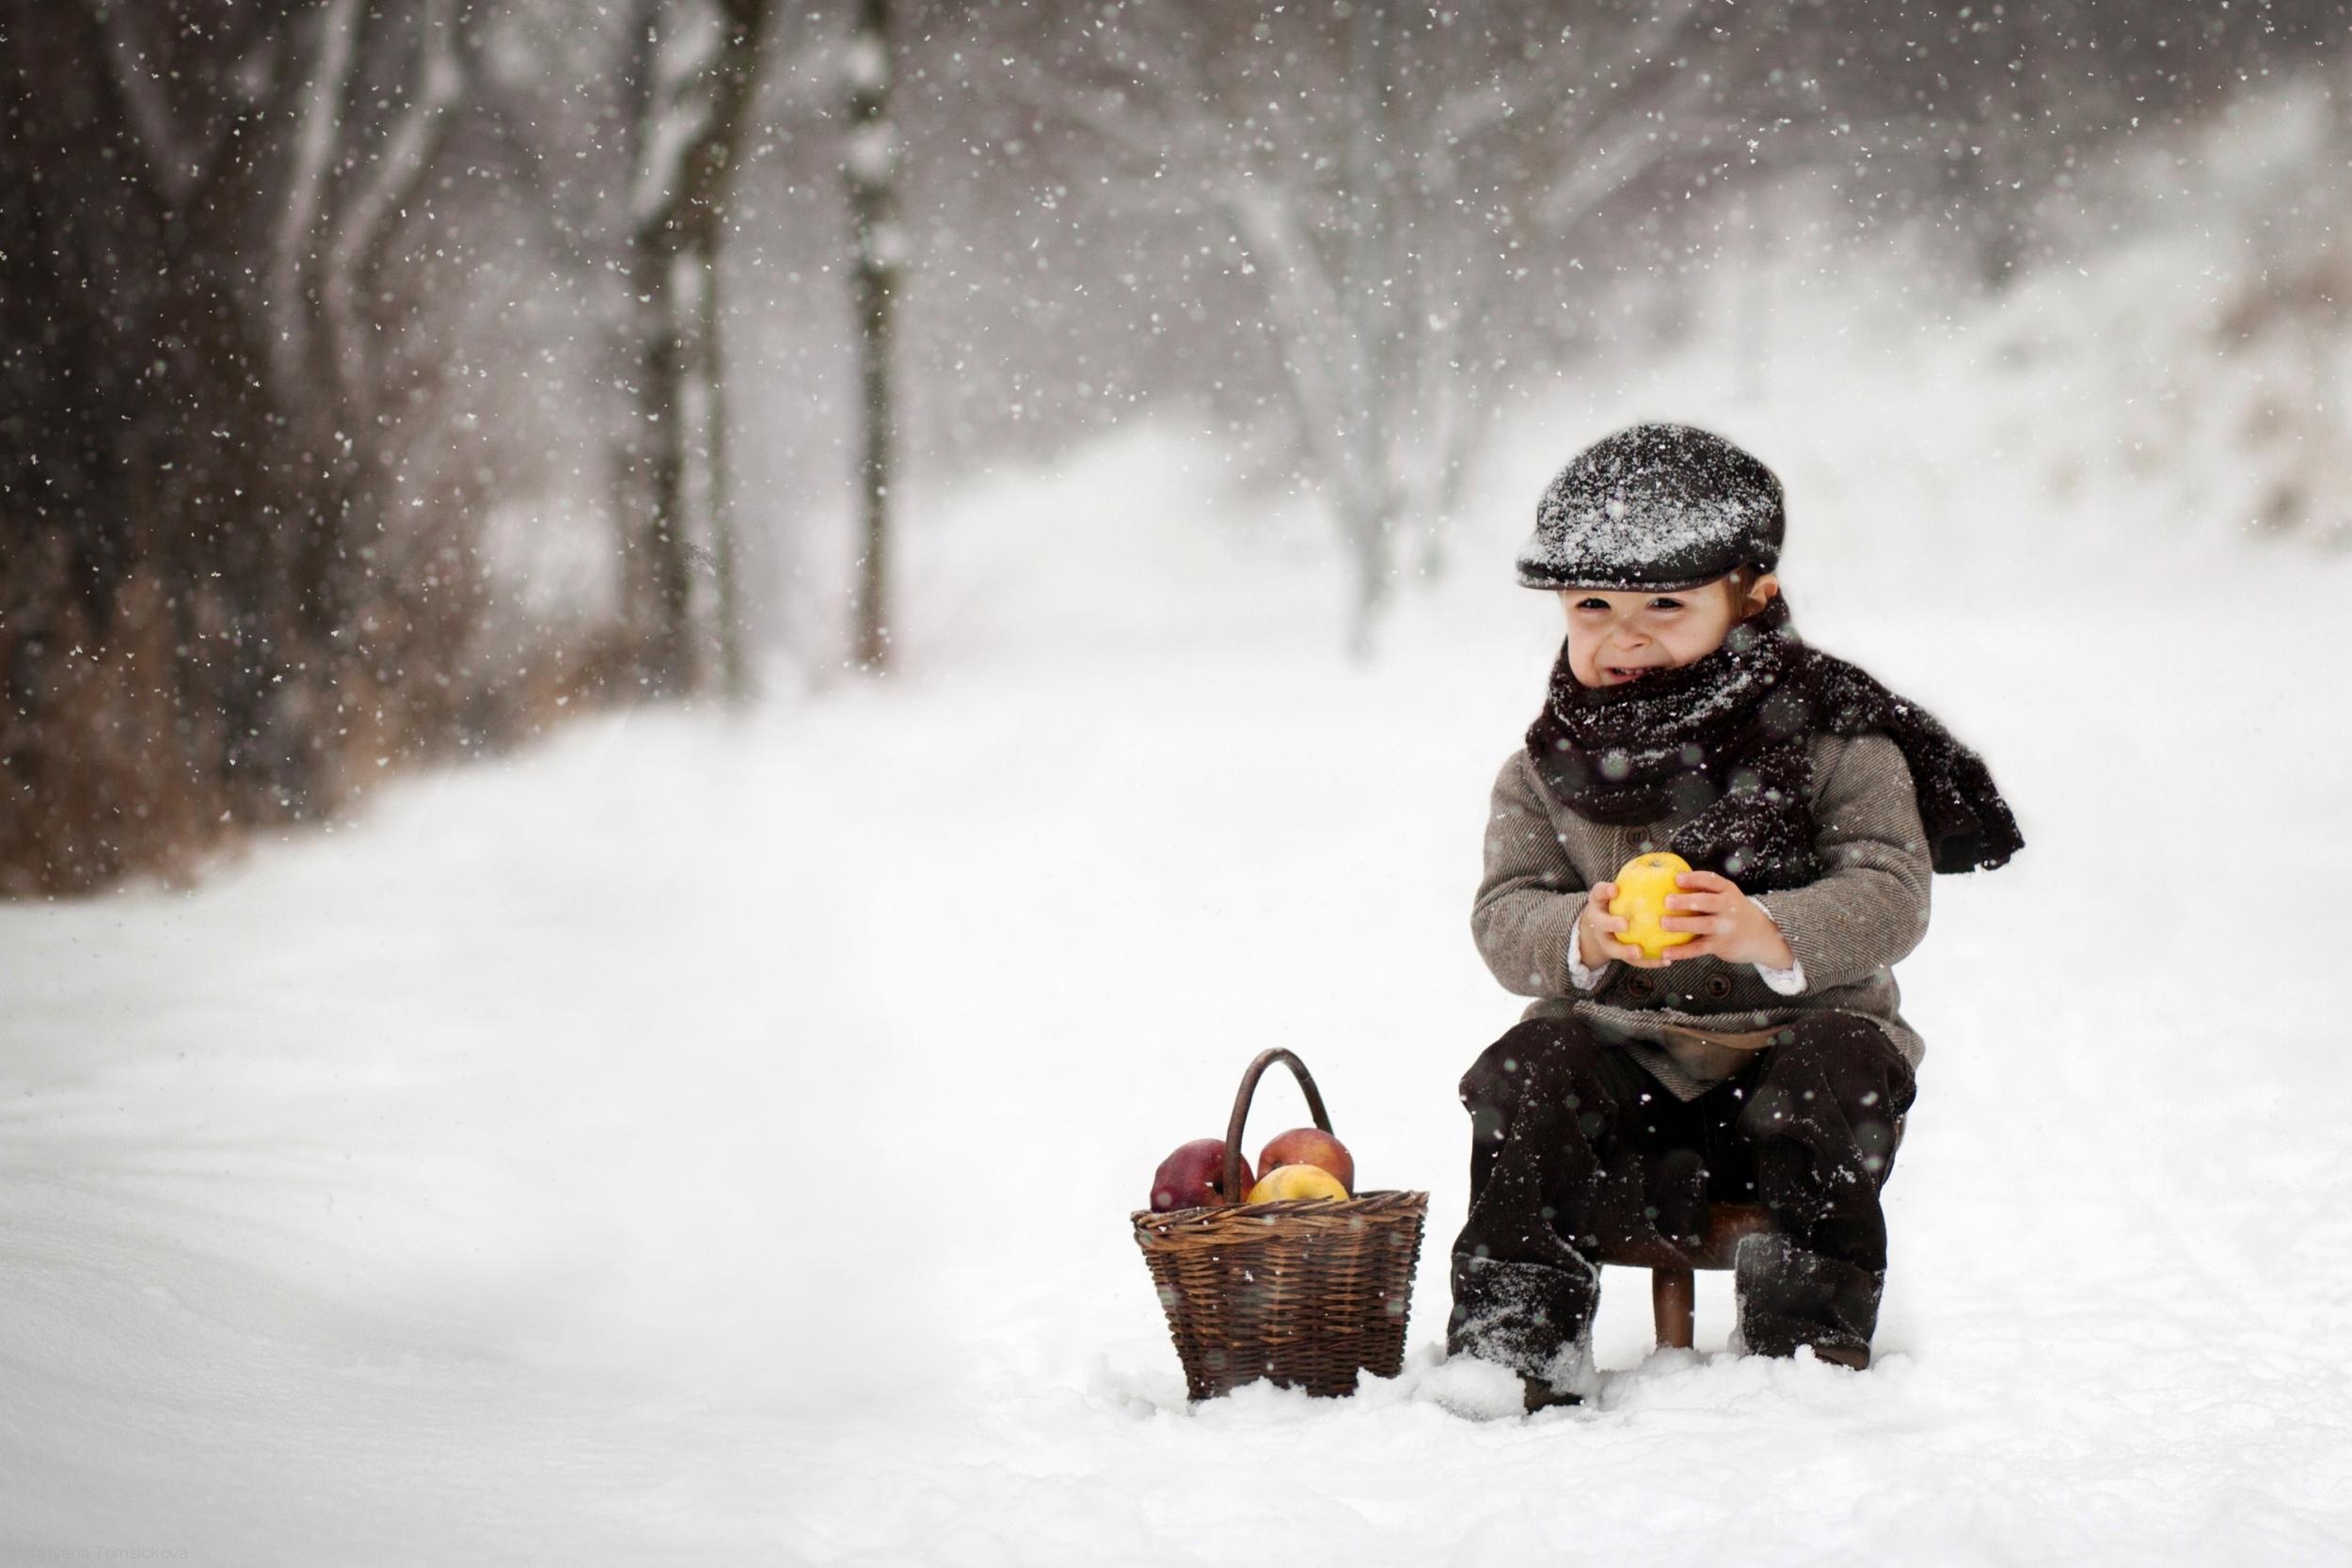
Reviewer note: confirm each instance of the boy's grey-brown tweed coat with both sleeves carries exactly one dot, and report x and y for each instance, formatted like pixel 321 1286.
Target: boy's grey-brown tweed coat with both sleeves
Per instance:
pixel 1847 930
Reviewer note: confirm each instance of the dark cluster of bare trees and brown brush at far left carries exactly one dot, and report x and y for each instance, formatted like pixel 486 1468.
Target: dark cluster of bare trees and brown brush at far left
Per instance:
pixel 203 427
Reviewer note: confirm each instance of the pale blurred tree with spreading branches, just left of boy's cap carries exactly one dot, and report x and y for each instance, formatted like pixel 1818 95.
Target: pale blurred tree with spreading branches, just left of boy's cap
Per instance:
pixel 1382 173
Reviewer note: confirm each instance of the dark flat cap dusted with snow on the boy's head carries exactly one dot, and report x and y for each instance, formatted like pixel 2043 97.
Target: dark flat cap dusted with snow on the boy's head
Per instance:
pixel 1655 507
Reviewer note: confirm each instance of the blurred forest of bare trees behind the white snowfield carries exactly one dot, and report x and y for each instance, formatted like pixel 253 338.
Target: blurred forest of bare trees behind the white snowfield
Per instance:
pixel 387 375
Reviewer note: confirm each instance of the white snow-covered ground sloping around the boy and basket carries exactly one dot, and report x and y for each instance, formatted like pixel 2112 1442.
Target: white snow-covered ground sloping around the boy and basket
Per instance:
pixel 714 1137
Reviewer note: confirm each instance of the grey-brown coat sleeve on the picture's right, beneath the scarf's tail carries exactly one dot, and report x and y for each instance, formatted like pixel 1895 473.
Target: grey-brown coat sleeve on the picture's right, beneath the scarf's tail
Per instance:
pixel 1871 904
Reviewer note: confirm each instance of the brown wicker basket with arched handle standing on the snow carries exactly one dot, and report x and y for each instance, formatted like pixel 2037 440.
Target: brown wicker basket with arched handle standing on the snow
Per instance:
pixel 1302 1292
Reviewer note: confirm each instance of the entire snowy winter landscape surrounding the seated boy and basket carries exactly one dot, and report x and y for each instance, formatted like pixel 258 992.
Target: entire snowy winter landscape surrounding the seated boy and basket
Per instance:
pixel 683 676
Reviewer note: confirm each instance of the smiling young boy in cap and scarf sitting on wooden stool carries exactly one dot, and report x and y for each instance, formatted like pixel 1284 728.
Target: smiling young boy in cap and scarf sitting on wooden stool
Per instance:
pixel 1763 1061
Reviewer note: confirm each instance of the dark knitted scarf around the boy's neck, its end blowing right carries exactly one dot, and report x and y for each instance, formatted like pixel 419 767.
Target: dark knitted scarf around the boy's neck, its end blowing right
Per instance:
pixel 1728 735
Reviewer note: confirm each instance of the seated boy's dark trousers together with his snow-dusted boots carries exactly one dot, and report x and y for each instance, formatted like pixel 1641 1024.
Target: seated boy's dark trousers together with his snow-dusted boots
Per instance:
pixel 1577 1151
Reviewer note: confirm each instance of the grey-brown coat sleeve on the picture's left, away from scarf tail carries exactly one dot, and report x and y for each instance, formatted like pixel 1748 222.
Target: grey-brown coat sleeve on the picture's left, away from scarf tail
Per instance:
pixel 1530 897
